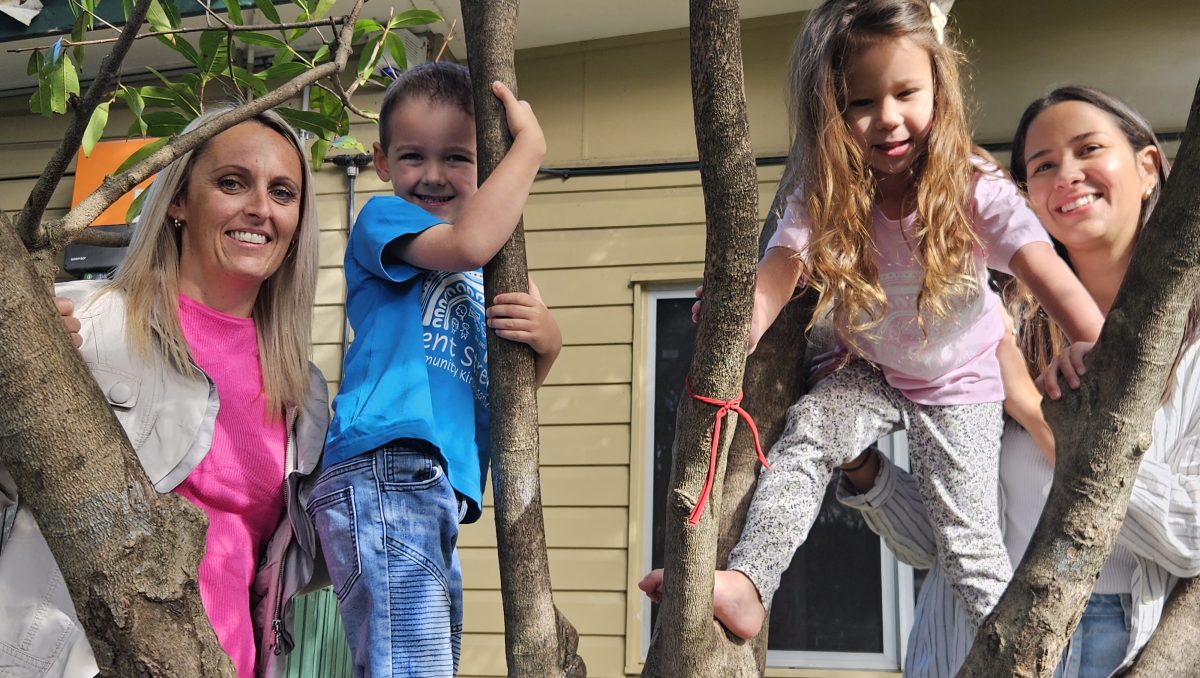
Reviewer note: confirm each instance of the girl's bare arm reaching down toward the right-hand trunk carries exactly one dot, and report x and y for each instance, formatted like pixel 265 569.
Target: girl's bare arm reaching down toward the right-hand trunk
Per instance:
pixel 1058 291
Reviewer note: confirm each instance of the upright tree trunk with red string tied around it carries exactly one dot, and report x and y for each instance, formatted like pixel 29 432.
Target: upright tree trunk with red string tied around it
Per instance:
pixel 687 641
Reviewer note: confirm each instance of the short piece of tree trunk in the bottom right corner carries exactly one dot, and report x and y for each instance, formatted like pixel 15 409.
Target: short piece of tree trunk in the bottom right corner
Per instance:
pixel 1173 650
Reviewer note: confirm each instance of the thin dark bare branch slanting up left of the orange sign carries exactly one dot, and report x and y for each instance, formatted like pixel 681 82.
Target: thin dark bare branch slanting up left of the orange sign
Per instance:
pixel 31 218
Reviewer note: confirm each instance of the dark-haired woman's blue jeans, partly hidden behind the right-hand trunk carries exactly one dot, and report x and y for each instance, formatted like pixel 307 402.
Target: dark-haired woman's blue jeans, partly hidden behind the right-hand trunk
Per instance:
pixel 1099 646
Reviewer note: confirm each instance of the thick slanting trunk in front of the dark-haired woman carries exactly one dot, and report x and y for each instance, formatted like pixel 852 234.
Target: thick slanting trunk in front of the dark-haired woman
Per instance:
pixel 1102 431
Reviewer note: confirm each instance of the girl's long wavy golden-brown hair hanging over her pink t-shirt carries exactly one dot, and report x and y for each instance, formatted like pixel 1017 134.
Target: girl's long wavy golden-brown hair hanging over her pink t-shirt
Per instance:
pixel 838 183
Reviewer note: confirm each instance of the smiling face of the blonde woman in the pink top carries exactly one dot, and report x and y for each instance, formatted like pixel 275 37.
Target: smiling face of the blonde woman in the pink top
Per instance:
pixel 239 212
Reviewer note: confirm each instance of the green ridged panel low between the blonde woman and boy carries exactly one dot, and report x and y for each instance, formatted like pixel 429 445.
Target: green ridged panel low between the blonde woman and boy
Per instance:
pixel 321 649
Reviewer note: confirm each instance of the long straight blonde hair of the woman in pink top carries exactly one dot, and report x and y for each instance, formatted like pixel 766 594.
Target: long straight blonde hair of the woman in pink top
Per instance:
pixel 148 279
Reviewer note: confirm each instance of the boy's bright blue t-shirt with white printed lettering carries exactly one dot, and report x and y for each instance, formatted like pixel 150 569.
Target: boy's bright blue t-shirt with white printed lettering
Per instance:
pixel 418 365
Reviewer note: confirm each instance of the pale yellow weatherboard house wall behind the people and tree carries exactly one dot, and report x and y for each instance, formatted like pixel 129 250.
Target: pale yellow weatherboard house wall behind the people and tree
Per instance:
pixel 628 101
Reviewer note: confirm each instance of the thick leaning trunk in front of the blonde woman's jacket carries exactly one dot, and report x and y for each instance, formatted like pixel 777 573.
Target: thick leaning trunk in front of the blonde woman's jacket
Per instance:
pixel 128 554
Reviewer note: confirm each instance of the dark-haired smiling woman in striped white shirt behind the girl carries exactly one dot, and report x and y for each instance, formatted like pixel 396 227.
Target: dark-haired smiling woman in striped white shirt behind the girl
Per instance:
pixel 1093 171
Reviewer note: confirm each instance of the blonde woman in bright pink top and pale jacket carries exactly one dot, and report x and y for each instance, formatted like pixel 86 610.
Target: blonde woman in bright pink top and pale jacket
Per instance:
pixel 201 343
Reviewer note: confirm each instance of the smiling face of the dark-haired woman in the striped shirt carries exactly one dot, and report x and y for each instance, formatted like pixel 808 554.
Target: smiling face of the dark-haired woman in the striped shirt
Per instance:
pixel 1085 182
